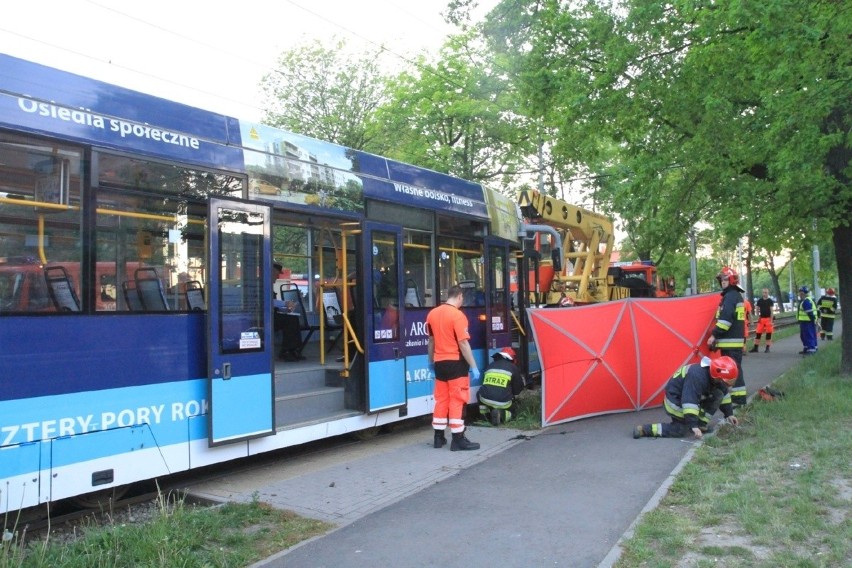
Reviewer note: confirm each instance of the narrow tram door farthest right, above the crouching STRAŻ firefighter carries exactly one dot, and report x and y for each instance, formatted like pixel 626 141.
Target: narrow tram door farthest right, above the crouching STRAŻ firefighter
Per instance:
pixel 498 324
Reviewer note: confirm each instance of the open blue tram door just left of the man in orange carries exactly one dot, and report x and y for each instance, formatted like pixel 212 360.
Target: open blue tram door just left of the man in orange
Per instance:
pixel 384 295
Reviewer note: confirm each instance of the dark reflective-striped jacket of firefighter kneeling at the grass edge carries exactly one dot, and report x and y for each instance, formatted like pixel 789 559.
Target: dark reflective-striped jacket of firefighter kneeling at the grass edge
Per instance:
pixel 688 388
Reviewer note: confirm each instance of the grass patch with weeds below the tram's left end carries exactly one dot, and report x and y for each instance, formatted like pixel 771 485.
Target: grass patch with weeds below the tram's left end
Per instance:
pixel 181 535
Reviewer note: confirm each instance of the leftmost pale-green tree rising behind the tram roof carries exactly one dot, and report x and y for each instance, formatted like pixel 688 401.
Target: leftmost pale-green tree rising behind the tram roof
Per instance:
pixel 326 92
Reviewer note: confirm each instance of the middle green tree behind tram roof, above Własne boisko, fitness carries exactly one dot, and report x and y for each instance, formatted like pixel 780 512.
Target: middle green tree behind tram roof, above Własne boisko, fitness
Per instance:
pixel 457 115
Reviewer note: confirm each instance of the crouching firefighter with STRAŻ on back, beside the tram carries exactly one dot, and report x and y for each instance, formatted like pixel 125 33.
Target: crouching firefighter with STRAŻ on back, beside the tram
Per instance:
pixel 502 381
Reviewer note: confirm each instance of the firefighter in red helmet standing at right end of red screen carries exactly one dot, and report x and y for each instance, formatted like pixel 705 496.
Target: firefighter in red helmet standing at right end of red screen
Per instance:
pixel 728 335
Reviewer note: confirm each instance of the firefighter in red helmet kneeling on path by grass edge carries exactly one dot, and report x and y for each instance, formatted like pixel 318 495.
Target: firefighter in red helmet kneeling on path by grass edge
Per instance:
pixel 693 395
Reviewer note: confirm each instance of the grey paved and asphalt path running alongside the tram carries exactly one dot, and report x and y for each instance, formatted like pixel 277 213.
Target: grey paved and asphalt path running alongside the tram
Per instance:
pixel 562 496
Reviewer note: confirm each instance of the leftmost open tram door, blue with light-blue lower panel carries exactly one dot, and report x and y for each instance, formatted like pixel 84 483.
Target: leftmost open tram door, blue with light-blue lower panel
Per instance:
pixel 239 333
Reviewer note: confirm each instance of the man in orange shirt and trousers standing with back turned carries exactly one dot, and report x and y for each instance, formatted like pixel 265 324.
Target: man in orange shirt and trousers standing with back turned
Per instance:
pixel 450 358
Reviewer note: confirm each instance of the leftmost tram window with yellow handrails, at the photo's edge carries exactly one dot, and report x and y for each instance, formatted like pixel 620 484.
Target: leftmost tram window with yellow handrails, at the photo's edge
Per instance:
pixel 40 186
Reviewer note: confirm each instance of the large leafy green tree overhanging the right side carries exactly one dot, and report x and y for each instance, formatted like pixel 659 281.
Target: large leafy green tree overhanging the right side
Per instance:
pixel 708 108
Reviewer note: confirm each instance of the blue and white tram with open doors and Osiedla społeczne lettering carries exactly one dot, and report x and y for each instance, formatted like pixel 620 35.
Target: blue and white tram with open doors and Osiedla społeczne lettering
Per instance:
pixel 140 325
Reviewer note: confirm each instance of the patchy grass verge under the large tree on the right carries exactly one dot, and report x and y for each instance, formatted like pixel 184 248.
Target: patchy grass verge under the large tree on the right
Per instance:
pixel 774 492
